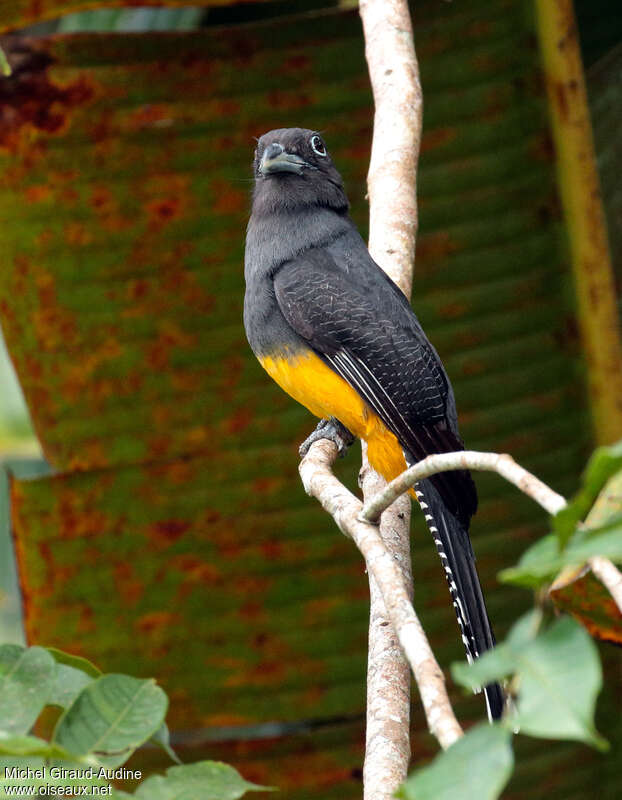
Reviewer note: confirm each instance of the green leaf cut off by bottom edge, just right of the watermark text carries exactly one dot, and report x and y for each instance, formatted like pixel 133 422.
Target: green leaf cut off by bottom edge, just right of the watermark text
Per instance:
pixel 211 780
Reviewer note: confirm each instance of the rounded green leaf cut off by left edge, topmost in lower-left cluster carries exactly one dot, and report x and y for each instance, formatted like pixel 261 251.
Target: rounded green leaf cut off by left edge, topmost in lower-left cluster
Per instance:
pixel 26 680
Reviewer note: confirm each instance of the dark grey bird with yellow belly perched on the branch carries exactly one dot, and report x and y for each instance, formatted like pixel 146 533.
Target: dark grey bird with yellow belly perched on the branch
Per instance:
pixel 332 329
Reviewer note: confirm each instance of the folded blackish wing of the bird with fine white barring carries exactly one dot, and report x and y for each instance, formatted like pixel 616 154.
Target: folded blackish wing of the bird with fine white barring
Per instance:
pixel 375 344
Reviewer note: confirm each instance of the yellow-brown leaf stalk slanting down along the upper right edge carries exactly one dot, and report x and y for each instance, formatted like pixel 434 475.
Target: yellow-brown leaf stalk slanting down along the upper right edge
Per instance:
pixel 585 221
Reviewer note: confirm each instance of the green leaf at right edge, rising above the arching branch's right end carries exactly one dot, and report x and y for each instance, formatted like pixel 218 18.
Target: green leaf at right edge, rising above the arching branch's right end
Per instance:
pixel 604 462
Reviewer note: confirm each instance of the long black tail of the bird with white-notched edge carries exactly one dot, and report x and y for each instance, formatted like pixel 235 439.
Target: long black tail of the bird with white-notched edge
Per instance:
pixel 454 548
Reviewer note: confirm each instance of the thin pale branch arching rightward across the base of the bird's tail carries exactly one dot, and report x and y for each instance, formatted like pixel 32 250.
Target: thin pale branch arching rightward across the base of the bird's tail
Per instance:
pixel 501 463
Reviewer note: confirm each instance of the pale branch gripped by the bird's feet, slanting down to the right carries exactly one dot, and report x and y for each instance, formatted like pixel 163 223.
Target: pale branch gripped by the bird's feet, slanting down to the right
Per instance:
pixel 345 508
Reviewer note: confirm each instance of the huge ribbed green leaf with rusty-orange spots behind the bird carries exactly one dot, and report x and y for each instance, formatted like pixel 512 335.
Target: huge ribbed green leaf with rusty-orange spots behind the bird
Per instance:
pixel 176 539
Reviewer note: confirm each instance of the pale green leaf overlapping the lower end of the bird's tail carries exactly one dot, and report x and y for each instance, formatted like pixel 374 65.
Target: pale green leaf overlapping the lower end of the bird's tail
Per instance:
pixel 558 675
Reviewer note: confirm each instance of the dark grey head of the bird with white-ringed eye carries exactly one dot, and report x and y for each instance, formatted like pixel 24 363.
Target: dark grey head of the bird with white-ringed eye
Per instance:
pixel 293 170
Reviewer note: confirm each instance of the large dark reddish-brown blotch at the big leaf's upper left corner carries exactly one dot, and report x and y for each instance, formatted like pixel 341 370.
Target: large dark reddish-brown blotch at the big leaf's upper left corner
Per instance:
pixel 29 99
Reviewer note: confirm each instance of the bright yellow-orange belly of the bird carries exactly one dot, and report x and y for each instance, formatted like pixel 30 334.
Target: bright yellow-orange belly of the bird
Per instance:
pixel 307 379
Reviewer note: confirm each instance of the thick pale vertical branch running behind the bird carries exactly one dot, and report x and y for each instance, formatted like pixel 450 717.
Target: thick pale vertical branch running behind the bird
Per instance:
pixel 391 182
